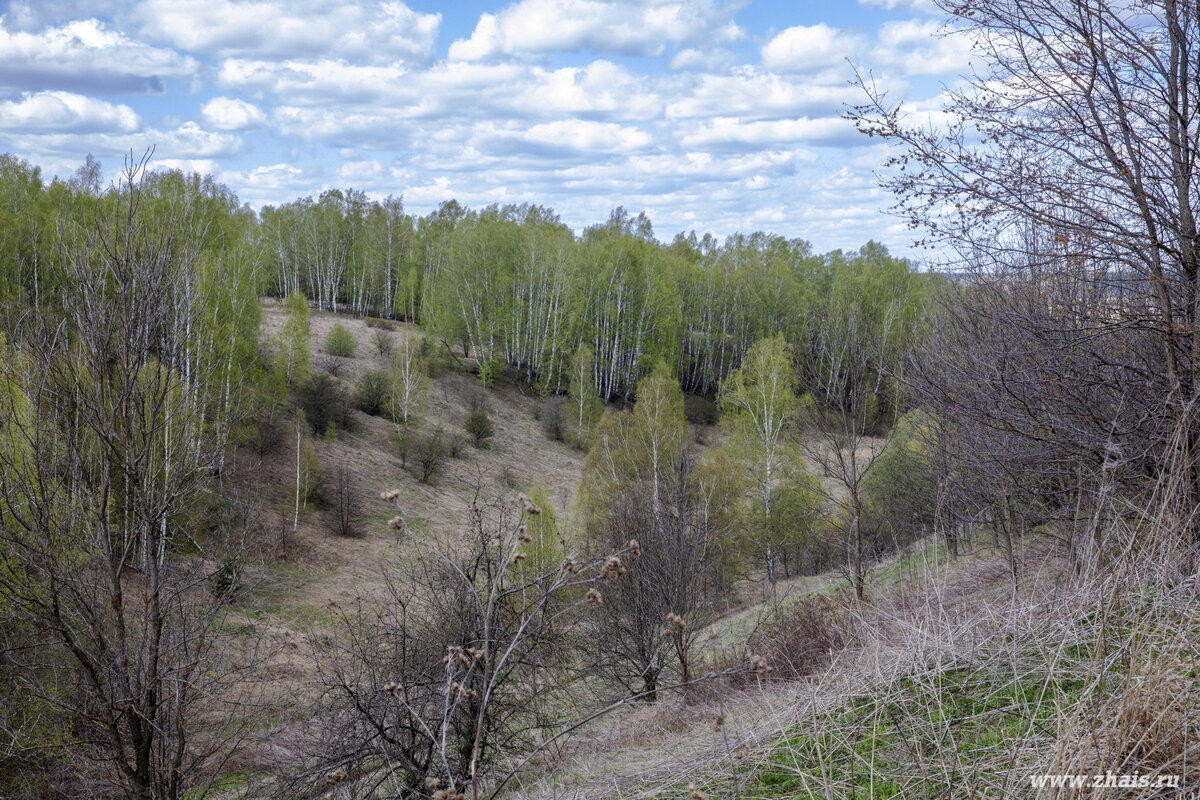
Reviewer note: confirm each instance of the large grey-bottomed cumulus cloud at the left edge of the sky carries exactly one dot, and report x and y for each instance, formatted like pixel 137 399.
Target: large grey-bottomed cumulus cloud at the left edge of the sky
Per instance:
pixel 86 56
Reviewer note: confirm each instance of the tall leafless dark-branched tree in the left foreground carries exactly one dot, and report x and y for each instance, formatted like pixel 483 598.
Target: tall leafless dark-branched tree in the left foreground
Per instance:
pixel 113 423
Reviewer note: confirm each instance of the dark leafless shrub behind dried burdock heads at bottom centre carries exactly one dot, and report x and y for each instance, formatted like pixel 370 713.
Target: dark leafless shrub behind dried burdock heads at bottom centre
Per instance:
pixel 464 666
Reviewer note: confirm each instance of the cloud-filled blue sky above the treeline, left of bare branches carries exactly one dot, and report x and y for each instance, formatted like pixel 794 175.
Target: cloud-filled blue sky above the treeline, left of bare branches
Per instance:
pixel 711 116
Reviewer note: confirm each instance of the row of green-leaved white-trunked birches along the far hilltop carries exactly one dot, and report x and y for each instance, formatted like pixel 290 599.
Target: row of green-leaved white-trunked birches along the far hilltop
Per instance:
pixel 511 285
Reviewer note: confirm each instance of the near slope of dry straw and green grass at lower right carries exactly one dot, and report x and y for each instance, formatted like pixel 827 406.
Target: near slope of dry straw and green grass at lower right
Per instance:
pixel 950 687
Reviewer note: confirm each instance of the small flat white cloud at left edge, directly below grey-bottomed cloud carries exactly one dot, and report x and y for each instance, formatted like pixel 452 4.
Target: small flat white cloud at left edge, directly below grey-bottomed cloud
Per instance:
pixel 62 112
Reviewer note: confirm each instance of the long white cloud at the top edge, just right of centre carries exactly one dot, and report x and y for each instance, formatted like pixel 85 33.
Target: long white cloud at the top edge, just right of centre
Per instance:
pixel 536 27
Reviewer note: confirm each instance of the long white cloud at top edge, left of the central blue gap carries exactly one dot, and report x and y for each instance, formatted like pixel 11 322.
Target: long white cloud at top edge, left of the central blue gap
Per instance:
pixel 369 33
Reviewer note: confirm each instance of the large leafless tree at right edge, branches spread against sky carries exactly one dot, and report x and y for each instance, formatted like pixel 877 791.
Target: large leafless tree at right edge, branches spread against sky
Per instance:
pixel 1066 173
